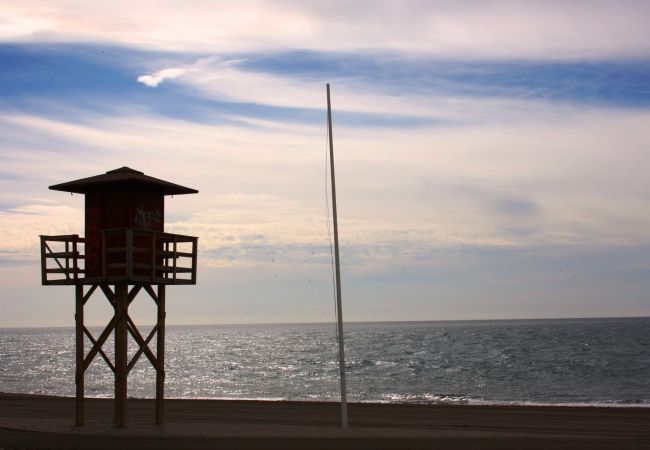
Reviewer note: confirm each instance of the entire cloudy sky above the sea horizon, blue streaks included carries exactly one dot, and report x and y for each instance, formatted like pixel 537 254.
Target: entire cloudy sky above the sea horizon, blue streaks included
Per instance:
pixel 491 156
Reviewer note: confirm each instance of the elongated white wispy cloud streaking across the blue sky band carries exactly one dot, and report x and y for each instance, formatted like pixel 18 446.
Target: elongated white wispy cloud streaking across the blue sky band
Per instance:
pixel 228 80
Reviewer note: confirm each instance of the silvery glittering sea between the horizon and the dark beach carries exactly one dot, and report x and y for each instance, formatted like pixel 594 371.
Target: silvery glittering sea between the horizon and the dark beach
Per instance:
pixel 572 361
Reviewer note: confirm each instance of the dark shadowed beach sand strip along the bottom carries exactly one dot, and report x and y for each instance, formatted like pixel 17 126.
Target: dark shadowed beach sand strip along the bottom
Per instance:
pixel 48 422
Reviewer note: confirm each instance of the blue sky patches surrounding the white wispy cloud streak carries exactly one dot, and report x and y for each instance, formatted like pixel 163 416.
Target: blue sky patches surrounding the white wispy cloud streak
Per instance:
pixel 55 78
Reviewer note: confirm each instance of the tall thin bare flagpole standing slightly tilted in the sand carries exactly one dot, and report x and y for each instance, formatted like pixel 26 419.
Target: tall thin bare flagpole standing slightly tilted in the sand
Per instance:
pixel 339 311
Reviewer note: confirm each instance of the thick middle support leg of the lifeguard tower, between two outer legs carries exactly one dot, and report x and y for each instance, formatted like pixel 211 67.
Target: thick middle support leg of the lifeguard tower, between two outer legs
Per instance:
pixel 121 344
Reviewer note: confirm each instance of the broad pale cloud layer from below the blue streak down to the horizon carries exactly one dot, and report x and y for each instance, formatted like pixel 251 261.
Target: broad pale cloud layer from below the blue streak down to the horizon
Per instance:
pixel 468 213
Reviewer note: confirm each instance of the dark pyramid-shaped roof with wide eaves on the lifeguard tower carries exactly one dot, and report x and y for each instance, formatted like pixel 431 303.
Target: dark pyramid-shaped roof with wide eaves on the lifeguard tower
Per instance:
pixel 122 176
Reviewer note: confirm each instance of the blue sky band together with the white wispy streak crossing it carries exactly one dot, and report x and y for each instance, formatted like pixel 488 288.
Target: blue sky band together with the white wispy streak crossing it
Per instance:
pixel 382 90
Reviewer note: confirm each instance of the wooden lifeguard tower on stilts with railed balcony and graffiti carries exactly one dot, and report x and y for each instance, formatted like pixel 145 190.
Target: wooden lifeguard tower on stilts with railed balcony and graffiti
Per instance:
pixel 125 251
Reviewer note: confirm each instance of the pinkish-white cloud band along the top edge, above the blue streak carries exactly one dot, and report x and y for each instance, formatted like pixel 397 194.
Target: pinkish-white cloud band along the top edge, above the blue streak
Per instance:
pixel 602 29
